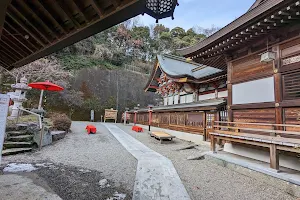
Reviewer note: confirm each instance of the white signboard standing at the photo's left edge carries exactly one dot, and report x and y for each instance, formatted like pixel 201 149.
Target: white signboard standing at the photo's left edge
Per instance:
pixel 4 101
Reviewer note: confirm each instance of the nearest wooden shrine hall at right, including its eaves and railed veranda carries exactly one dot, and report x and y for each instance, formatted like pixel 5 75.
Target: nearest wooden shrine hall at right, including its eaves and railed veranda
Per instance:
pixel 260 51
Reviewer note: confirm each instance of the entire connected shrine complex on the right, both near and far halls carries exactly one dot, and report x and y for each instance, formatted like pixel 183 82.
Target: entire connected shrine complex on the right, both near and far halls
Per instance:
pixel 258 55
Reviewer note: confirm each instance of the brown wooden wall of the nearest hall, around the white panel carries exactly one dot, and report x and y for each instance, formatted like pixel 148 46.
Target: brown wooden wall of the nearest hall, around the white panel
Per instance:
pixel 286 72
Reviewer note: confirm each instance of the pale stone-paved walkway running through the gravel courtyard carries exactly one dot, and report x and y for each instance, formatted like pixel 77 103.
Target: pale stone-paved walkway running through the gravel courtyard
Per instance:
pixel 156 177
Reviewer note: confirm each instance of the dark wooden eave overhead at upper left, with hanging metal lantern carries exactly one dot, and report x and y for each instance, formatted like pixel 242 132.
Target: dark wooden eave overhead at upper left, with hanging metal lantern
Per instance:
pixel 31 29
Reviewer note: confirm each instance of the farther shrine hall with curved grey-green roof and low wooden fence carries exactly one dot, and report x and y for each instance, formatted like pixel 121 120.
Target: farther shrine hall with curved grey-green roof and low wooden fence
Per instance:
pixel 194 95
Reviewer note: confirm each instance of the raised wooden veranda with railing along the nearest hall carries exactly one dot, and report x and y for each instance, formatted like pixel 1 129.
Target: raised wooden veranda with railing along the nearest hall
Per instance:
pixel 265 137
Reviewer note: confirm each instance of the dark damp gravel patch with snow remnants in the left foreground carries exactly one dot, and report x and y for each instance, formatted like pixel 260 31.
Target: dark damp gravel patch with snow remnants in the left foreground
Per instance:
pixel 73 183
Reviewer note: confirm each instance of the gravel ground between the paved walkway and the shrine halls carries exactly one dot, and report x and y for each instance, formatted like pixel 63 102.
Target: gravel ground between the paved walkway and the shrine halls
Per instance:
pixel 207 180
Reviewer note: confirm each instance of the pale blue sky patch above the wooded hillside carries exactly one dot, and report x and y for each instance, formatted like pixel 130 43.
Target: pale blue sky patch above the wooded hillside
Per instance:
pixel 203 13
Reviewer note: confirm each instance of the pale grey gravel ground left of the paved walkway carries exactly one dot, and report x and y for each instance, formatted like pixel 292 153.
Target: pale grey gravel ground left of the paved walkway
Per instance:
pixel 100 152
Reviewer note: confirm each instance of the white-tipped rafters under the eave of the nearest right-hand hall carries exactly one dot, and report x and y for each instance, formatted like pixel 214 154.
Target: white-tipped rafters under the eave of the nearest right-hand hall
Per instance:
pixel 270 22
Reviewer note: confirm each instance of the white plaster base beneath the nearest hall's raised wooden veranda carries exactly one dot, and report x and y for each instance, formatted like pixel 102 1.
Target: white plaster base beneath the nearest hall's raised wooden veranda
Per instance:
pixel 284 160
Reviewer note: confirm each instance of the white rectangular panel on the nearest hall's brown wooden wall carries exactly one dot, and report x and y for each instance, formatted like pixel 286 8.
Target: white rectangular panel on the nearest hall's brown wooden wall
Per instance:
pixel 257 91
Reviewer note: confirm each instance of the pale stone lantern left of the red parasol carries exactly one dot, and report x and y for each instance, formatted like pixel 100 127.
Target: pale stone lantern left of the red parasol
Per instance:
pixel 18 96
